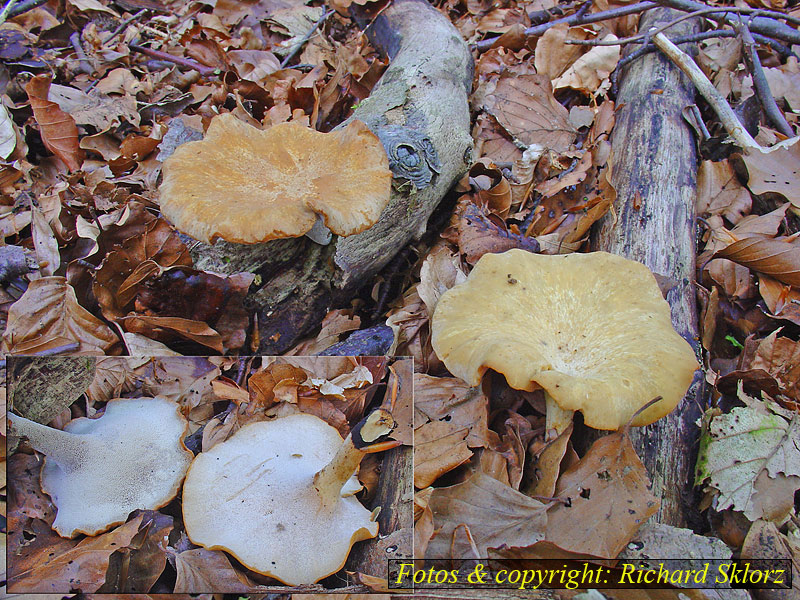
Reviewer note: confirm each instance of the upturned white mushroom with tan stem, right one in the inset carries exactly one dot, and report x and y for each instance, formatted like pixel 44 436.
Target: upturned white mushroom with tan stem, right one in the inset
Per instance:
pixel 279 496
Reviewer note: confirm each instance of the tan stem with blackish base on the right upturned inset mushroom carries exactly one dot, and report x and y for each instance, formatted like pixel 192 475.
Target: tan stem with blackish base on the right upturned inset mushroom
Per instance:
pixel 330 480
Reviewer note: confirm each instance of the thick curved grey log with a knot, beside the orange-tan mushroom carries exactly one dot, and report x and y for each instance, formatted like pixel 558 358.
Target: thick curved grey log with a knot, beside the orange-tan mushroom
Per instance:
pixel 419 111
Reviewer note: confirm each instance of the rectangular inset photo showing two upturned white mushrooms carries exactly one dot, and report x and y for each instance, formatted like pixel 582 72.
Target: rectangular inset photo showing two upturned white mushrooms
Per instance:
pixel 207 475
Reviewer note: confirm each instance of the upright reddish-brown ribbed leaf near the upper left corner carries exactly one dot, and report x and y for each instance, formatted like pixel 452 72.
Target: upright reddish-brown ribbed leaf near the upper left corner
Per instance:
pixel 58 129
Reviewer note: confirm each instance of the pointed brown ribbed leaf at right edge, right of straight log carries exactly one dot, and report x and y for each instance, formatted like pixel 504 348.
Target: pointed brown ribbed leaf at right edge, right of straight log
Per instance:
pixel 777 258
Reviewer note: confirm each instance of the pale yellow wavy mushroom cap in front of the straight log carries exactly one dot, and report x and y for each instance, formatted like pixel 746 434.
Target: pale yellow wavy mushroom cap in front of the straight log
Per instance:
pixel 592 329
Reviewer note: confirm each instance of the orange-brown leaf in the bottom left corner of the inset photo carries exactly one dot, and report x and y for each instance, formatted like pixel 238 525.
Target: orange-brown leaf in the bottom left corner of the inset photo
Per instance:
pixel 51 564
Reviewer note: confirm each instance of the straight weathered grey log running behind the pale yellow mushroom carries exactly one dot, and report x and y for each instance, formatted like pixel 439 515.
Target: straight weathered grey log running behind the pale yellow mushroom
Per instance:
pixel 654 168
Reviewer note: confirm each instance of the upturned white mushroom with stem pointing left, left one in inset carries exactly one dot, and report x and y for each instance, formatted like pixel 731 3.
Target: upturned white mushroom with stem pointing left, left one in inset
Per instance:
pixel 97 471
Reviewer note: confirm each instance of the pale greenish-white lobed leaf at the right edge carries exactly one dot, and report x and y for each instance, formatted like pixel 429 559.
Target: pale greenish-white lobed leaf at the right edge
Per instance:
pixel 737 447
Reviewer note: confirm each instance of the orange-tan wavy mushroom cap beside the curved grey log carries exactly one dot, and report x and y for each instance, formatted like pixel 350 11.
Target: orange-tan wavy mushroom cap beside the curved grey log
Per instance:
pixel 248 185
